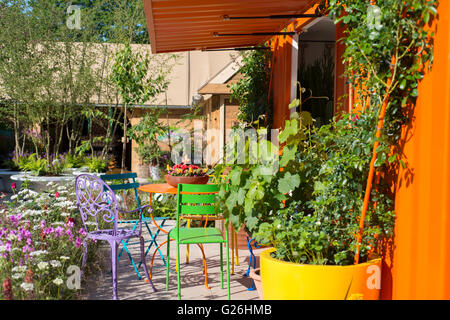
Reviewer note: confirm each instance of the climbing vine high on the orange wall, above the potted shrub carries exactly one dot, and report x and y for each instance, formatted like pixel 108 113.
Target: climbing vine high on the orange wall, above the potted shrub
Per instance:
pixel 388 48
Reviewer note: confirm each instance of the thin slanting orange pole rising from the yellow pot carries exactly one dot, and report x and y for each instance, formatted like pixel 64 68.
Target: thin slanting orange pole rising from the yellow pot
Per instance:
pixel 372 165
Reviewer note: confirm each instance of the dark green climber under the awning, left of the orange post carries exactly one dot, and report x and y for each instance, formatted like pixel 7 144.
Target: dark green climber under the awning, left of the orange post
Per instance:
pixel 252 91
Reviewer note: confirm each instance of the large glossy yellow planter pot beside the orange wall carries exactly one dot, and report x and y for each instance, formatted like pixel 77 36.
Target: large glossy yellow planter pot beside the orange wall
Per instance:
pixel 290 281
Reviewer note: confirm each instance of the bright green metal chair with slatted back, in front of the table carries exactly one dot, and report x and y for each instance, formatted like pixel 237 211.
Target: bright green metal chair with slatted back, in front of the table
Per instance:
pixel 197 199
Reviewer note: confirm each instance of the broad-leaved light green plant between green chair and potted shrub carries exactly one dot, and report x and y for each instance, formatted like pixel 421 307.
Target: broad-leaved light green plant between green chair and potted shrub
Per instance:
pixel 256 190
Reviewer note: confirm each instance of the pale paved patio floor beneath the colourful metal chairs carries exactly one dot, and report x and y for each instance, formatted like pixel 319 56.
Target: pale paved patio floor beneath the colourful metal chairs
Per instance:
pixel 99 286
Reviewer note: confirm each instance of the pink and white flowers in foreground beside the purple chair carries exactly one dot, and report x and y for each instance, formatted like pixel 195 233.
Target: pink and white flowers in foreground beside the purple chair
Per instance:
pixel 41 235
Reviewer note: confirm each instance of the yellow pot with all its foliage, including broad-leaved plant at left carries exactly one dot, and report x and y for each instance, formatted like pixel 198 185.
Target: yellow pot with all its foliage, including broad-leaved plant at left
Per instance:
pixel 308 210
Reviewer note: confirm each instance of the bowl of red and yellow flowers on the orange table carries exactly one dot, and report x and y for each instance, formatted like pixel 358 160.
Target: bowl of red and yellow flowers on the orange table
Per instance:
pixel 186 173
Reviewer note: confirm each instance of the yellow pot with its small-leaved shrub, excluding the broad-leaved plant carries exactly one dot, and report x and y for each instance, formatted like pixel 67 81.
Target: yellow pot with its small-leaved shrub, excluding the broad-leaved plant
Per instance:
pixel 314 234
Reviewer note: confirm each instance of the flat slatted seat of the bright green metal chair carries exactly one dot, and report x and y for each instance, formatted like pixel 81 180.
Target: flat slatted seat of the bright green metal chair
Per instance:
pixel 197 235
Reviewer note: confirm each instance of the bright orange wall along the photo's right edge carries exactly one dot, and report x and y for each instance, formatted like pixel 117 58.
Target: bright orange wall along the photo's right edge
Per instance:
pixel 420 265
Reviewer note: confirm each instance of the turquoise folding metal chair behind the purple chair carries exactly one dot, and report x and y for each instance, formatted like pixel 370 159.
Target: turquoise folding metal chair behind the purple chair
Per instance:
pixel 129 183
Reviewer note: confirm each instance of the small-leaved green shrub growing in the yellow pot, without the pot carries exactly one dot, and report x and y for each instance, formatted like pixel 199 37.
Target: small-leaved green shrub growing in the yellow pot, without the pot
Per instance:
pixel 319 225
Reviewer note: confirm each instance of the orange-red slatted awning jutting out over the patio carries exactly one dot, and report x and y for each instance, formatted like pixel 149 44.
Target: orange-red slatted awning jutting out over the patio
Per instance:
pixel 185 25
